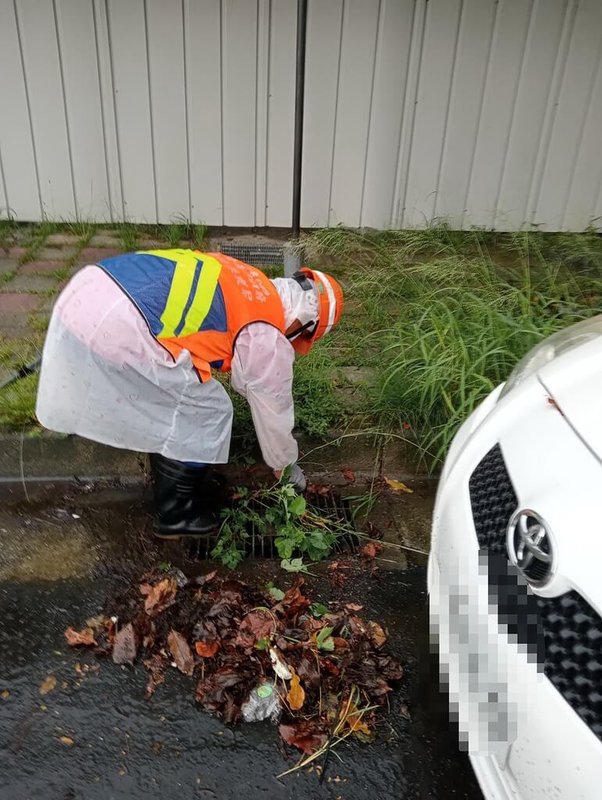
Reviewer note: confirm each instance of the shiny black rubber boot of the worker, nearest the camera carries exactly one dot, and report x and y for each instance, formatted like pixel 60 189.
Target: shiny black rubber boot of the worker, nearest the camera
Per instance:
pixel 178 508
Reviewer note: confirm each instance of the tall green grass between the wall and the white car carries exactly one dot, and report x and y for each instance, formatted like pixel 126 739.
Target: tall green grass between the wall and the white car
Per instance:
pixel 444 316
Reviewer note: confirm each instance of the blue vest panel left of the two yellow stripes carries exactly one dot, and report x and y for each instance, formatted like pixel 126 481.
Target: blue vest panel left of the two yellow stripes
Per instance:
pixel 146 280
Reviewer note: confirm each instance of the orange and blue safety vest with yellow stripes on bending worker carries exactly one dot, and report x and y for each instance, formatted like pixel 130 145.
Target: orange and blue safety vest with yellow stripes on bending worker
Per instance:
pixel 197 301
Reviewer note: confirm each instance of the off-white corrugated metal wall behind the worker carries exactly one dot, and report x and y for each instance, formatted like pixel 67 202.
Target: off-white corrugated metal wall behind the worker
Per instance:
pixel 478 112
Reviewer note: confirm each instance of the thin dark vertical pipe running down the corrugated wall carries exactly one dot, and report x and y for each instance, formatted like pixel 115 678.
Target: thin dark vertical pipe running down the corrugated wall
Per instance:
pixel 292 256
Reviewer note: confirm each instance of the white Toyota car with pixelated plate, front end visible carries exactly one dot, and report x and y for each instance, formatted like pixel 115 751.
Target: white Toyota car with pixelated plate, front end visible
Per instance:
pixel 515 575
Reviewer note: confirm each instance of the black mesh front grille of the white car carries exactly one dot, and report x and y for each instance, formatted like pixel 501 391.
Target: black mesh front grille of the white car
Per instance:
pixel 564 631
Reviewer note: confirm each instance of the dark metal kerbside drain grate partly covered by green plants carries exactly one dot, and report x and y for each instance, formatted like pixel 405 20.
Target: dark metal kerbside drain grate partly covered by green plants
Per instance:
pixel 330 505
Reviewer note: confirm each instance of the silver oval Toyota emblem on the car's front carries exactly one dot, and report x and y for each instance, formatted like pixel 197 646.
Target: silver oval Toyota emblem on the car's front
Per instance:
pixel 530 547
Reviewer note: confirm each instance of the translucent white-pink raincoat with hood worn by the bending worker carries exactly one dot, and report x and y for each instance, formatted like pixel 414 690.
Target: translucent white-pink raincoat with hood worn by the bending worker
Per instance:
pixel 105 377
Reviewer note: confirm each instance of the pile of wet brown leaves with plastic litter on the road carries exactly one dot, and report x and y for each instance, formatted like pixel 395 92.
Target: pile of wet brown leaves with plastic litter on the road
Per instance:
pixel 321 671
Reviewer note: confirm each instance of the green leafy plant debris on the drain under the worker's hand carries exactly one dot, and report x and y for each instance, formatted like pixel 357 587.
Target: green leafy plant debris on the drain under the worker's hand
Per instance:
pixel 299 532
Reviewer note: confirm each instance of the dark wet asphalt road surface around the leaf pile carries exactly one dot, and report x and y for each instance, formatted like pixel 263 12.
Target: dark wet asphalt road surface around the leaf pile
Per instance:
pixel 124 746
